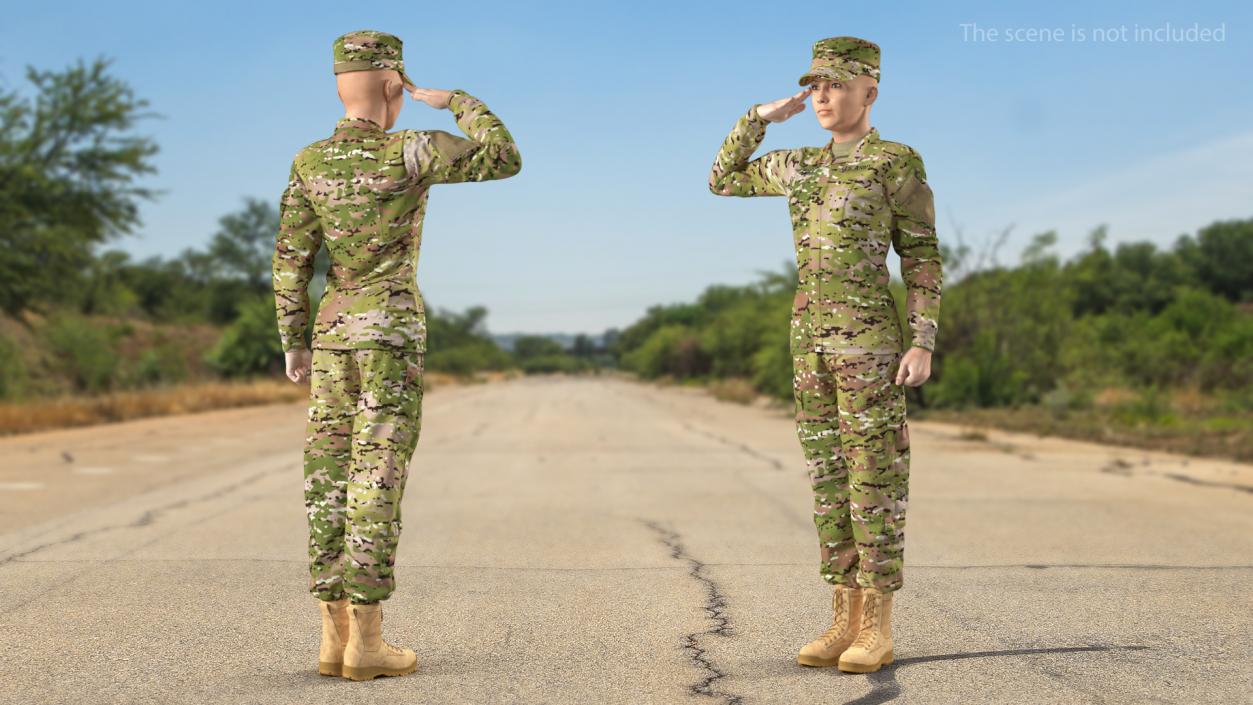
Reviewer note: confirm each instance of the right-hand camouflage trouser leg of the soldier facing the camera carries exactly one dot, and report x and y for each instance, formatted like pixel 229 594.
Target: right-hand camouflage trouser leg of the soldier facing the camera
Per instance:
pixel 876 441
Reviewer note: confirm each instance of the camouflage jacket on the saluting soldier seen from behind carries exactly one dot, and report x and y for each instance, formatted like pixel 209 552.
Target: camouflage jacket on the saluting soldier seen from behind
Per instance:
pixel 363 192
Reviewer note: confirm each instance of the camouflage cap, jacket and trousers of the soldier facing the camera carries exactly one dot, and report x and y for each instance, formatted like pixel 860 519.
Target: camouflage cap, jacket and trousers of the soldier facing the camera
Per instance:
pixel 848 203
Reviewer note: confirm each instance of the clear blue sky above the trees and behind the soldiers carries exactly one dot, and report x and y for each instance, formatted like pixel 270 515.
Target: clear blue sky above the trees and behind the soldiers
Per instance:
pixel 620 110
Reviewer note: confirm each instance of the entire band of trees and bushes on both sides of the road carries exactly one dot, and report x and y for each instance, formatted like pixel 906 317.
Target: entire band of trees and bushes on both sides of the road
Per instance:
pixel 1128 322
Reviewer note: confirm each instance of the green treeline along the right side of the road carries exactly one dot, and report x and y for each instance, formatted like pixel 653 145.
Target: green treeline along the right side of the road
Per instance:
pixel 1135 319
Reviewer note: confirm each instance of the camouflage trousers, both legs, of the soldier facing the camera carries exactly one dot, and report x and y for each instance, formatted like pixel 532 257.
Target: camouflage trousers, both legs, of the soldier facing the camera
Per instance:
pixel 853 428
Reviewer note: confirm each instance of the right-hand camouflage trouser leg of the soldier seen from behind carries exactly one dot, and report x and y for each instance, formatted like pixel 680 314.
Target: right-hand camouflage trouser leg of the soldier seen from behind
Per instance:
pixel 384 438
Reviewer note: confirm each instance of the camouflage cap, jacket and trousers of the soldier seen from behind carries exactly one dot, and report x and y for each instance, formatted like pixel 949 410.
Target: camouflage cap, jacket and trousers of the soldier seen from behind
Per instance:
pixel 363 192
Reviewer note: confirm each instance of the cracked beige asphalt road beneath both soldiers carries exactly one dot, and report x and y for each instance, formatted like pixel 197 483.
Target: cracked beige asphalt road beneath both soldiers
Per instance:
pixel 606 542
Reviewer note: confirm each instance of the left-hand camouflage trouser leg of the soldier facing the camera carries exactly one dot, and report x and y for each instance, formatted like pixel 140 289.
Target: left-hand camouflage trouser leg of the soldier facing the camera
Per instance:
pixel 819 430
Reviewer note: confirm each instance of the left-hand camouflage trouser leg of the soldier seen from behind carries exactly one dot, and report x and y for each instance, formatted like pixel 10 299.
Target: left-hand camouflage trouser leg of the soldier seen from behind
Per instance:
pixel 334 388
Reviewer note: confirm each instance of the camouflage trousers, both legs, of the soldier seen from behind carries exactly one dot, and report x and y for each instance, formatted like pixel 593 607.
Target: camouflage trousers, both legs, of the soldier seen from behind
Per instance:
pixel 364 421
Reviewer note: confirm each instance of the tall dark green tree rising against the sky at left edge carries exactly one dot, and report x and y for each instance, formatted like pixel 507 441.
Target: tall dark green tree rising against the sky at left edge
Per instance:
pixel 67 172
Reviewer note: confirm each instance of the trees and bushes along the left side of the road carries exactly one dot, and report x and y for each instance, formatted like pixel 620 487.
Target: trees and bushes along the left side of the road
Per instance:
pixel 78 319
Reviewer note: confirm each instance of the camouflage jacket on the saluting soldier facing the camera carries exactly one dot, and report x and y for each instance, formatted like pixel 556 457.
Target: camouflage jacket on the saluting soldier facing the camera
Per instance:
pixel 845 212
